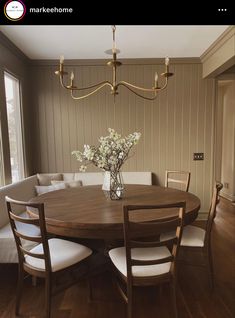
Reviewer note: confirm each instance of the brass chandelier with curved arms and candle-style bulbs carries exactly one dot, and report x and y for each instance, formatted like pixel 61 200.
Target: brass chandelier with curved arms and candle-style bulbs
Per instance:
pixel 114 85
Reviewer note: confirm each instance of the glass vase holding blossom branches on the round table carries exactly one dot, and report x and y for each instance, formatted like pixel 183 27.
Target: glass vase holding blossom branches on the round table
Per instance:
pixel 113 185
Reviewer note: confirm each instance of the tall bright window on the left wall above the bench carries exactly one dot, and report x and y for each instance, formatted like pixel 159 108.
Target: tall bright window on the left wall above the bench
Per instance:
pixel 12 91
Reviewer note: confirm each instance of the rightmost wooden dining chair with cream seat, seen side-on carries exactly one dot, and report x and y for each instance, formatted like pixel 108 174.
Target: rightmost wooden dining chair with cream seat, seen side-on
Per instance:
pixel 196 238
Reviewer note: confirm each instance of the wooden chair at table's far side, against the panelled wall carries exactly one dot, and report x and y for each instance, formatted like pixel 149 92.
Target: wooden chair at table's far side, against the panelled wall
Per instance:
pixel 174 178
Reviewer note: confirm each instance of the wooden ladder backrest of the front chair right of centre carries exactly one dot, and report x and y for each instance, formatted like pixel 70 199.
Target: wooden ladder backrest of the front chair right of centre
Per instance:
pixel 134 230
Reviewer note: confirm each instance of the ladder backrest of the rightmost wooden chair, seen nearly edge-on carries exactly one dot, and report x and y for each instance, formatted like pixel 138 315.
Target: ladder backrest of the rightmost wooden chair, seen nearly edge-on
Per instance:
pixel 212 212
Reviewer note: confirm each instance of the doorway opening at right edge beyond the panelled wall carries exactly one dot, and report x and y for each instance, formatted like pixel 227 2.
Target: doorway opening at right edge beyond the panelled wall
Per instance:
pixel 225 135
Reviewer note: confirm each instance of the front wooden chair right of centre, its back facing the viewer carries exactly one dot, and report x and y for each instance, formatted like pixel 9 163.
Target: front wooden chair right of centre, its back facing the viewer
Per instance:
pixel 147 261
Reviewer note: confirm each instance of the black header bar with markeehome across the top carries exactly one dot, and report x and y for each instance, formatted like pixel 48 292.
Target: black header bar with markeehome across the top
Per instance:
pixel 138 13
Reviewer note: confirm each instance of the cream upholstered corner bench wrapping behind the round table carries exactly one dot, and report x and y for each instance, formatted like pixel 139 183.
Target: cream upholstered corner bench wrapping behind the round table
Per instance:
pixel 25 190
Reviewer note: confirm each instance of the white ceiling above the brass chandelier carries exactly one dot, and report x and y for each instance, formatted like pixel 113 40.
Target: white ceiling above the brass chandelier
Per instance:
pixel 90 42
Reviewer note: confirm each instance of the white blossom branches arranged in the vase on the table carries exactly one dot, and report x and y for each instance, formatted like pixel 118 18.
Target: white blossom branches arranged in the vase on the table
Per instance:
pixel 110 154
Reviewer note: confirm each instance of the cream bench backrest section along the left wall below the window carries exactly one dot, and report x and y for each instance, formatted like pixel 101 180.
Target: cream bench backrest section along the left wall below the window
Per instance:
pixel 23 190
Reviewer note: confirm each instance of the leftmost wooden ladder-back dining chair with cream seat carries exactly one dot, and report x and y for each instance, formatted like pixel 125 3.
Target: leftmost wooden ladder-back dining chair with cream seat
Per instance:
pixel 48 258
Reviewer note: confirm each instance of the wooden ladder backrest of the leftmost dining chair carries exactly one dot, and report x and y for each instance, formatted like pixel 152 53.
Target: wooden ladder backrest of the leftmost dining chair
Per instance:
pixel 18 235
